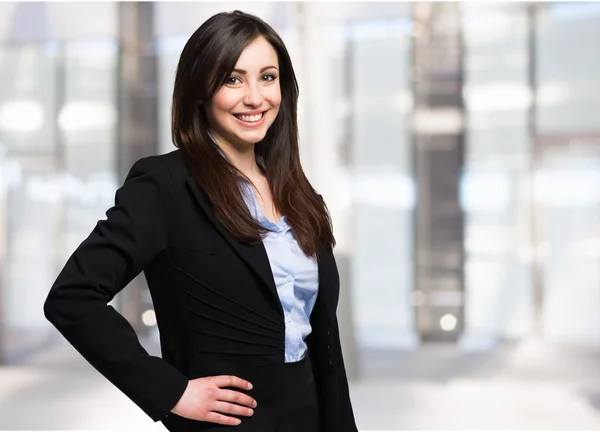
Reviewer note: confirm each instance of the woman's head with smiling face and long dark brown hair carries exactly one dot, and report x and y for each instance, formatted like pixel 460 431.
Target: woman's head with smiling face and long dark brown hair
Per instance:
pixel 245 70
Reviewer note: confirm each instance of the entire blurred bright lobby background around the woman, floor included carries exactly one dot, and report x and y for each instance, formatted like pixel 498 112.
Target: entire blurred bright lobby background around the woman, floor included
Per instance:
pixel 457 146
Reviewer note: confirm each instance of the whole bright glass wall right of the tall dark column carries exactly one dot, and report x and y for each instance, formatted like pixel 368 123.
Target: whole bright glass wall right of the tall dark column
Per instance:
pixel 530 189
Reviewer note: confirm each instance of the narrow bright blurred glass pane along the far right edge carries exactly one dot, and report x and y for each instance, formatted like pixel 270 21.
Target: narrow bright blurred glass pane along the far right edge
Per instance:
pixel 567 169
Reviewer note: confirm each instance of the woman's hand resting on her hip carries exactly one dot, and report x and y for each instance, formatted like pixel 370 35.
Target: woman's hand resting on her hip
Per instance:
pixel 205 399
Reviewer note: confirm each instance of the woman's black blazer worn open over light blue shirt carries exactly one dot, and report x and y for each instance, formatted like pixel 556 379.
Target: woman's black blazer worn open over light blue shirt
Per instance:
pixel 162 224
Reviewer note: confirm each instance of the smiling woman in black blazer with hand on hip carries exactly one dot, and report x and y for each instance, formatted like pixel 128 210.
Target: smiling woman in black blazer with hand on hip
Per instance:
pixel 236 247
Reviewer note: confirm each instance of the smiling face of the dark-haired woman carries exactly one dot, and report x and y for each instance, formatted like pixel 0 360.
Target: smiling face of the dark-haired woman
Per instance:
pixel 244 108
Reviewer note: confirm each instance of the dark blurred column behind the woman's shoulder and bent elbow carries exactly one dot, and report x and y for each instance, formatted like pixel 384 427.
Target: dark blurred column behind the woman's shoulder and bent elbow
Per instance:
pixel 137 118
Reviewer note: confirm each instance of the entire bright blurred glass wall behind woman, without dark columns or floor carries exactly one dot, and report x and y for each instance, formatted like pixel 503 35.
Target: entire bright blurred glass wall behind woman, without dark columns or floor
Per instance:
pixel 529 184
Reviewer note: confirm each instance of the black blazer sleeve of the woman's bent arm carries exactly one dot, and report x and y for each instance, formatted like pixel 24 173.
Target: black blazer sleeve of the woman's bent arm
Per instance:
pixel 117 250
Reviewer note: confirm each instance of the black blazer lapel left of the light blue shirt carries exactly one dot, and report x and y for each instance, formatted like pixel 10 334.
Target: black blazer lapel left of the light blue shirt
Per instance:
pixel 254 255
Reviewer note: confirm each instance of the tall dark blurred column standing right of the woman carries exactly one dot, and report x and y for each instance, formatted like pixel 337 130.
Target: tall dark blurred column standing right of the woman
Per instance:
pixel 438 131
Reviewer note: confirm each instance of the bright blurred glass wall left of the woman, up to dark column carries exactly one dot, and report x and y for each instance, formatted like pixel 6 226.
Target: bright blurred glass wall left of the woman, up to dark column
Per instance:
pixel 57 147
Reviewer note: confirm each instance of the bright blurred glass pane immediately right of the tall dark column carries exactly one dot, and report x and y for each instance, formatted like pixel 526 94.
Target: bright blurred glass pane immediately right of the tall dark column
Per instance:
pixel 494 193
